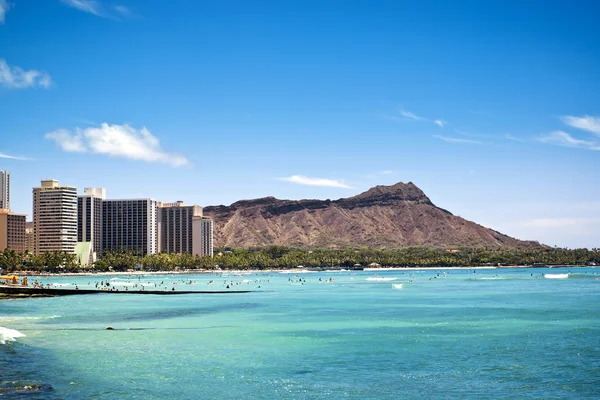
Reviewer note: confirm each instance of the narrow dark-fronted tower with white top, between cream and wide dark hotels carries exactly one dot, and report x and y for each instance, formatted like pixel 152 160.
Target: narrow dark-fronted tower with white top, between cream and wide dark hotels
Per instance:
pixel 89 220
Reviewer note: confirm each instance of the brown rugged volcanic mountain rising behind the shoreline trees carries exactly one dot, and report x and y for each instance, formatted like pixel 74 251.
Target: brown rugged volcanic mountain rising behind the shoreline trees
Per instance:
pixel 382 217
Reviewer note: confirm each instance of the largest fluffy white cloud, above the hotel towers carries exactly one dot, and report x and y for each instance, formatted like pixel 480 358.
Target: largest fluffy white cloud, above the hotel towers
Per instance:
pixel 117 141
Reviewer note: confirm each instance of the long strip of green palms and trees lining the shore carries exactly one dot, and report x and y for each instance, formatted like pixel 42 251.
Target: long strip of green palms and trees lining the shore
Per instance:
pixel 280 257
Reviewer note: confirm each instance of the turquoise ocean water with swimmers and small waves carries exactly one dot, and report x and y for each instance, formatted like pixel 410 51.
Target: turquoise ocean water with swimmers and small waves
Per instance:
pixel 475 334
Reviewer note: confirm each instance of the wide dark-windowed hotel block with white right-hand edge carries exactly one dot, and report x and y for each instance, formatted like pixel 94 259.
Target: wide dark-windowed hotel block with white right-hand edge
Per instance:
pixel 130 224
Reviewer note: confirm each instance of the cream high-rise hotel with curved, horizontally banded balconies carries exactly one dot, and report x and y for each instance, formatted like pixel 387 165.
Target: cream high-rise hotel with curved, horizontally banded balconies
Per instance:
pixel 54 217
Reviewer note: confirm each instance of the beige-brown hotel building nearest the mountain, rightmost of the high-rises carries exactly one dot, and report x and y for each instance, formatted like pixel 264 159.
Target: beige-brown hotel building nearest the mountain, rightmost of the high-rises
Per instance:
pixel 183 229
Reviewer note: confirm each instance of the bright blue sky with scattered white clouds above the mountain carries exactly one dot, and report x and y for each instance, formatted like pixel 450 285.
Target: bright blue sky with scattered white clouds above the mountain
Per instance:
pixel 492 108
